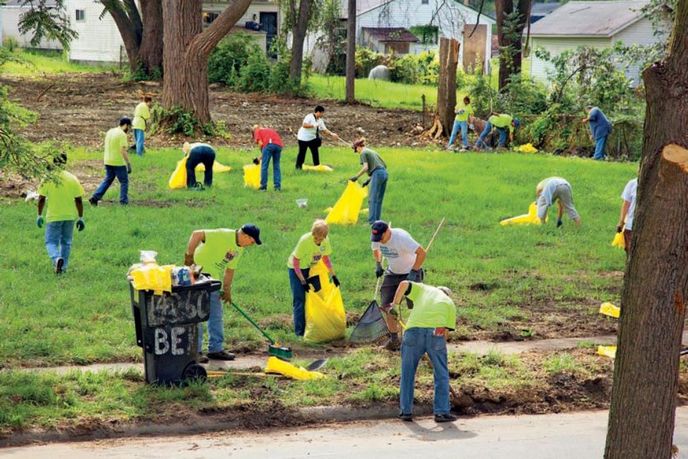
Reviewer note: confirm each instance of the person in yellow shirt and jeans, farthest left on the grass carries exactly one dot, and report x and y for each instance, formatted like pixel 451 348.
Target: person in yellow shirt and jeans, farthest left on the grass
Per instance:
pixel 65 205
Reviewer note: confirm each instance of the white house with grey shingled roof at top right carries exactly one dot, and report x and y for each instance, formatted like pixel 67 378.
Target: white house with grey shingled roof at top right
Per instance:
pixel 596 24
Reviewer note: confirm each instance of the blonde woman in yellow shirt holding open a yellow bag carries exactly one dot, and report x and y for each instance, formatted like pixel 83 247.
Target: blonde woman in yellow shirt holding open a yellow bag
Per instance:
pixel 311 248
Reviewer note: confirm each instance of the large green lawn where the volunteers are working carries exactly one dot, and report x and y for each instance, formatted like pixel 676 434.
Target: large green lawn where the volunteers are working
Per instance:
pixel 500 276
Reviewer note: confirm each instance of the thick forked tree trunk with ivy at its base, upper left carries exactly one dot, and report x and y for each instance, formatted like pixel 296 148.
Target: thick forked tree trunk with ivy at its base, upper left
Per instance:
pixel 186 50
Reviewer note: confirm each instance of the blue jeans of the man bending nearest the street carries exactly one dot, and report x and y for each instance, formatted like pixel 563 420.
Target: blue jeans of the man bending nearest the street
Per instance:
pixel 416 343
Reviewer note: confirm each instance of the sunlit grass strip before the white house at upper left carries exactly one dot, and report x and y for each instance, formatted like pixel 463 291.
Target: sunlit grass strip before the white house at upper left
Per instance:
pixel 37 63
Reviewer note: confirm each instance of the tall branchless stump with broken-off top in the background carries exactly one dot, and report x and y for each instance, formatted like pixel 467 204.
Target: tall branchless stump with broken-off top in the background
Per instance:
pixel 446 89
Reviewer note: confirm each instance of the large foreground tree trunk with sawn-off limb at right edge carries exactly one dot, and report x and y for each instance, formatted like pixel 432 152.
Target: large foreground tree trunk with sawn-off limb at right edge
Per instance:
pixel 641 416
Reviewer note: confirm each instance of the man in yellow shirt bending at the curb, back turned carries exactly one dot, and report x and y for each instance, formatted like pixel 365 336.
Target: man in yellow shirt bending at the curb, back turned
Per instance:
pixel 433 314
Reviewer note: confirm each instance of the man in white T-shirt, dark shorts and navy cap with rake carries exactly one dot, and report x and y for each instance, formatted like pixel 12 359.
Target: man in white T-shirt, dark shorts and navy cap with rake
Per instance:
pixel 405 258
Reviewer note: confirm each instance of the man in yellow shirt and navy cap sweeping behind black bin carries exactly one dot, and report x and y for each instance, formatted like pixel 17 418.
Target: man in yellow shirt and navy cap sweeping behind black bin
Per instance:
pixel 218 251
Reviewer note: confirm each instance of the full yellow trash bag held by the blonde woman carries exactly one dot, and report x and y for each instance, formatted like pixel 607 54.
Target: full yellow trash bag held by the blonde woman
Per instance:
pixel 325 315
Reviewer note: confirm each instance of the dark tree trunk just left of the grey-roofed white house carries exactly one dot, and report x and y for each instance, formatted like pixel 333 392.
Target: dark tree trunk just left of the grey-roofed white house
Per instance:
pixel 511 38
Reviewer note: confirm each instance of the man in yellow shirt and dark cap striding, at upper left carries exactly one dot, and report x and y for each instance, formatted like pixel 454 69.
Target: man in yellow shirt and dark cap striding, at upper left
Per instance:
pixel 117 163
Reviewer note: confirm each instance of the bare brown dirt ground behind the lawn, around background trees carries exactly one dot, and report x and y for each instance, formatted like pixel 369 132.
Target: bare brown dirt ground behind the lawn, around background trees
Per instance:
pixel 79 109
